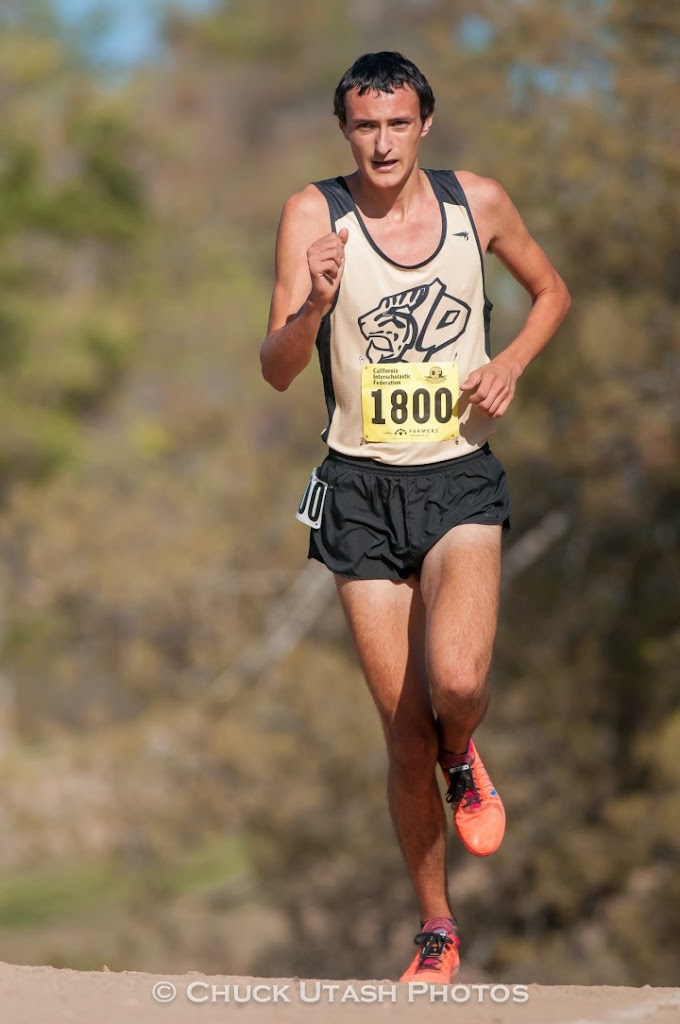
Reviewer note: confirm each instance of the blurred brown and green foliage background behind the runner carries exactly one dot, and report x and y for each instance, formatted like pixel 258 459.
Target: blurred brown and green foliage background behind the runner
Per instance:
pixel 192 773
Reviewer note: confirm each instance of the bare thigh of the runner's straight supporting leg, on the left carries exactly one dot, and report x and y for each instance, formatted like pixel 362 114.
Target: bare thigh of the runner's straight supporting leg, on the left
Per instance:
pixel 388 622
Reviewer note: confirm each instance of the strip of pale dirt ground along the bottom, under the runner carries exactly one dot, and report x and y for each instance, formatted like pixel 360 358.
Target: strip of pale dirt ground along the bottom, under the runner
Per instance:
pixel 36 995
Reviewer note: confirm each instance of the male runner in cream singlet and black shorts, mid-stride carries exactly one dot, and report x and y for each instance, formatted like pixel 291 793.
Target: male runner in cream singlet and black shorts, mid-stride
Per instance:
pixel 384 272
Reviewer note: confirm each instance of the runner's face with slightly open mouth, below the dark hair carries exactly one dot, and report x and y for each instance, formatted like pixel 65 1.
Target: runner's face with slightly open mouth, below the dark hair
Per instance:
pixel 385 131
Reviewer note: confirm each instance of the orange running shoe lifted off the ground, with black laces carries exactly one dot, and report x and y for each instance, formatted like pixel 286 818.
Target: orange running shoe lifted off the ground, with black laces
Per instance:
pixel 479 812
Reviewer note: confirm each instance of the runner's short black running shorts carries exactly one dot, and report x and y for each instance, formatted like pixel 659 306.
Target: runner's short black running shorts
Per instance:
pixel 378 523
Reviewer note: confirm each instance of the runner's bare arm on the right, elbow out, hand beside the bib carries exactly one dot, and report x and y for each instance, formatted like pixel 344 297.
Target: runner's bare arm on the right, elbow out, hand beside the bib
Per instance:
pixel 492 388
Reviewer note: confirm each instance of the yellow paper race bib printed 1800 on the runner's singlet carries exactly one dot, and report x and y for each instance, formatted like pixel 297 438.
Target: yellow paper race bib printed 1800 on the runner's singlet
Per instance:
pixel 410 402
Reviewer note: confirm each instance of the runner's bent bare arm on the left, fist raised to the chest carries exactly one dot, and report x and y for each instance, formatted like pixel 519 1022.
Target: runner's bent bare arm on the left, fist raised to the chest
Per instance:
pixel 310 266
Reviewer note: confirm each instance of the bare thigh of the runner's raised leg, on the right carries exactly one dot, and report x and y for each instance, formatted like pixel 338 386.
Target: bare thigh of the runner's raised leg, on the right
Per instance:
pixel 460 583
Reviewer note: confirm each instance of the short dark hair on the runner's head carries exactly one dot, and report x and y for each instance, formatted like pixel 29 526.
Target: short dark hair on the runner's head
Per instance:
pixel 384 72
